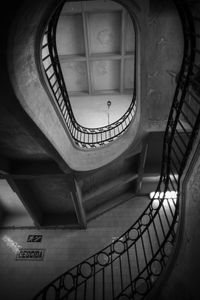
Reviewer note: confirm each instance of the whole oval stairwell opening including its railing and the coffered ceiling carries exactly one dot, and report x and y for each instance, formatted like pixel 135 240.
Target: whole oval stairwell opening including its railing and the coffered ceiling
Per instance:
pixel 89 58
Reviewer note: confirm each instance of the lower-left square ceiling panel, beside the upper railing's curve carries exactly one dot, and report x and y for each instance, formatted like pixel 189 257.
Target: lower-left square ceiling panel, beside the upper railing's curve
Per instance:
pixel 75 76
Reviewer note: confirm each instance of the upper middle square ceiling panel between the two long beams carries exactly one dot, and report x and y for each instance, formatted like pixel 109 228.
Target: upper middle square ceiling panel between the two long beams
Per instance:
pixel 104 32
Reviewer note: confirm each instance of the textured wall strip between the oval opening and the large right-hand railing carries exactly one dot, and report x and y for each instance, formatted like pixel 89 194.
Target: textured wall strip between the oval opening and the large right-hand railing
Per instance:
pixel 164 56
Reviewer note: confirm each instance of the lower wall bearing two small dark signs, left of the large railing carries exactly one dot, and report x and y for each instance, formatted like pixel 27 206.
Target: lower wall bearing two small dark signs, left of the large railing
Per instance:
pixel 21 280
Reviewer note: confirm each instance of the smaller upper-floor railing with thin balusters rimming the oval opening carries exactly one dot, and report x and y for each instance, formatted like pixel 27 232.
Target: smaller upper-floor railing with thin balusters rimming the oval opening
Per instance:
pixel 84 137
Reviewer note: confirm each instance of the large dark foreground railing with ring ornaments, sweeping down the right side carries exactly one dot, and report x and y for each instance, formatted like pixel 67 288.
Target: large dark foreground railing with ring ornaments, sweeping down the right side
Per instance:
pixel 129 267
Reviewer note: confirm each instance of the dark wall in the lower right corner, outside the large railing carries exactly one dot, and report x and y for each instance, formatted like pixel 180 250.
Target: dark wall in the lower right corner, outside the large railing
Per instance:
pixel 183 282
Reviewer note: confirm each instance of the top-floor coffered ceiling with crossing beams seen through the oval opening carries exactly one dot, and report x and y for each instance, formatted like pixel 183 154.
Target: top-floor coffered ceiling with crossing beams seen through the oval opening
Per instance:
pixel 96 47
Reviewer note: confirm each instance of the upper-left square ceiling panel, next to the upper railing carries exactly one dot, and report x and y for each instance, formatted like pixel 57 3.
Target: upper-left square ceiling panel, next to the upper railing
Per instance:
pixel 69 37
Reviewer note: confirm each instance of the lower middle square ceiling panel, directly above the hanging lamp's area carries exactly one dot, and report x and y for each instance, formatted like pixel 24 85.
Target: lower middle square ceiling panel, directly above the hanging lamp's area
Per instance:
pixel 105 75
